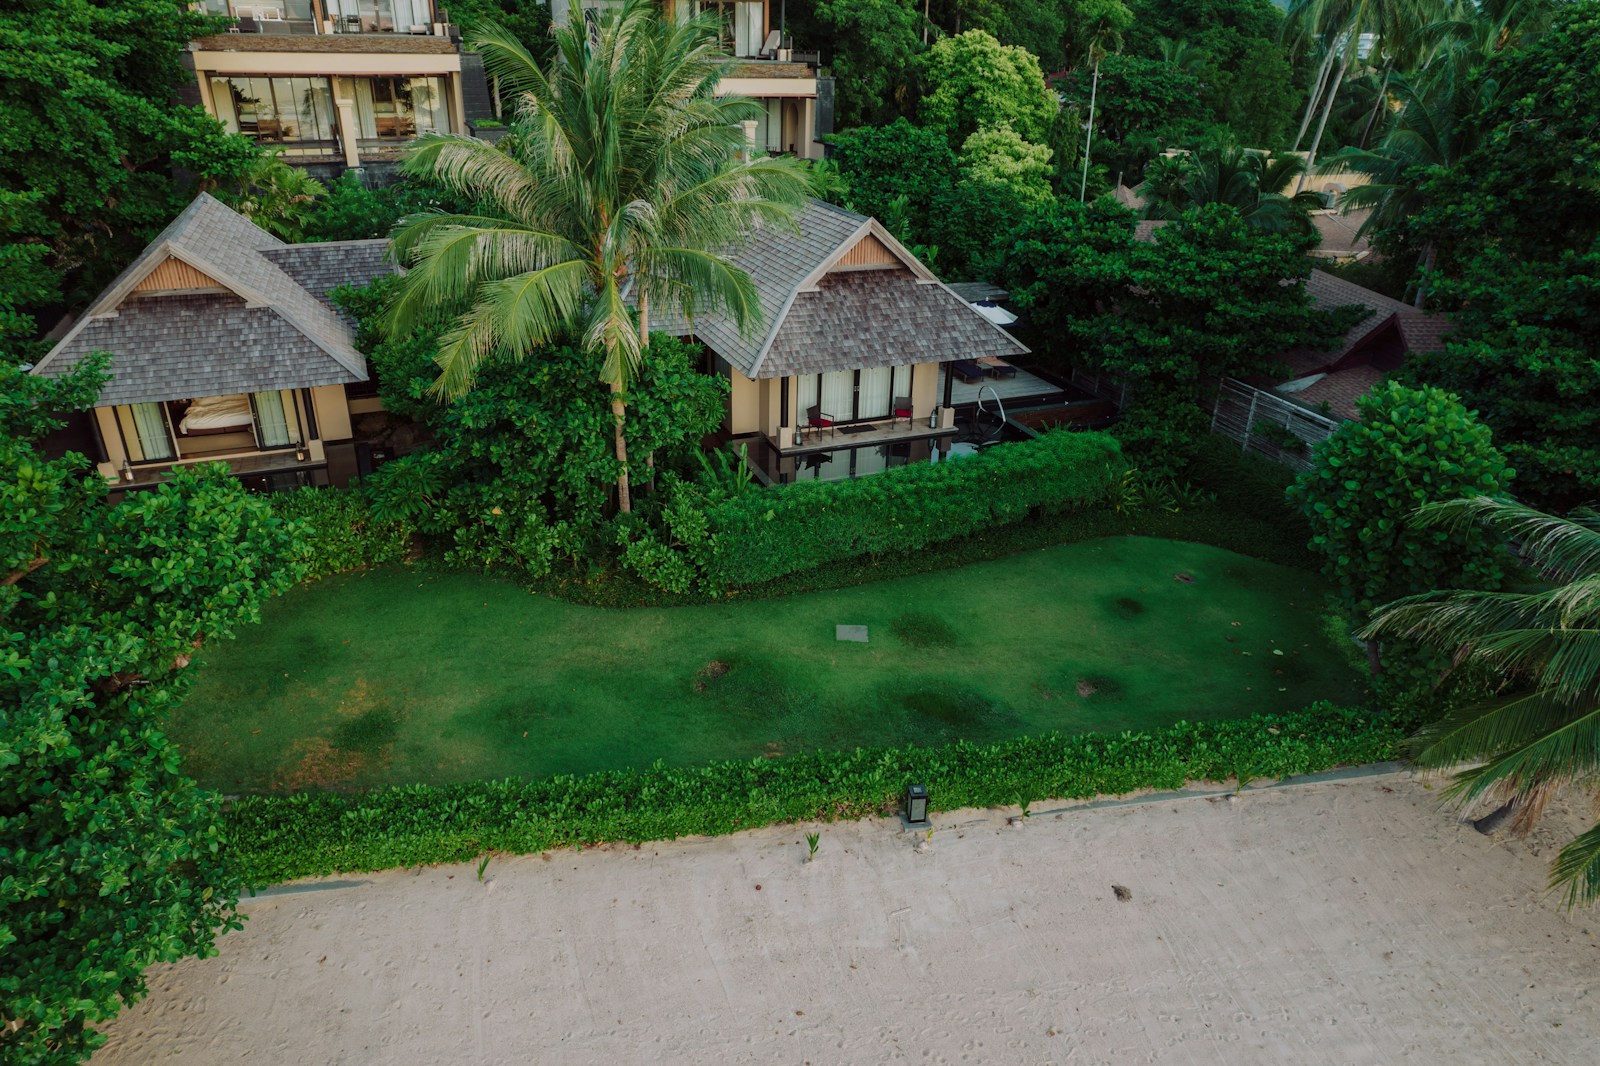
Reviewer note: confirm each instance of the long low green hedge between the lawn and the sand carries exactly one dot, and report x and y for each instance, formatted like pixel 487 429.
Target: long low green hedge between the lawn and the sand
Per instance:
pixel 313 835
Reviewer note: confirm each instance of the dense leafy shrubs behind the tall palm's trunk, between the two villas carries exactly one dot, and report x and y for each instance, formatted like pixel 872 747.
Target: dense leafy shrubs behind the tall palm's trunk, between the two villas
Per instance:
pixel 519 467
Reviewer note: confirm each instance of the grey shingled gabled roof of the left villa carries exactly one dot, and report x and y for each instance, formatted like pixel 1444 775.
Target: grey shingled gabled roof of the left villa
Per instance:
pixel 263 331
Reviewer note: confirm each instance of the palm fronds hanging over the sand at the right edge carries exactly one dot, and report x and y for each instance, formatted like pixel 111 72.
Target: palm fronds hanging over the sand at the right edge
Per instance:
pixel 1545 732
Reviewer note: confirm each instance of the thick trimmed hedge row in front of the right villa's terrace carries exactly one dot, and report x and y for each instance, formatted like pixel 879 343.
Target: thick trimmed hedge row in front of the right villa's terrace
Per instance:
pixel 762 535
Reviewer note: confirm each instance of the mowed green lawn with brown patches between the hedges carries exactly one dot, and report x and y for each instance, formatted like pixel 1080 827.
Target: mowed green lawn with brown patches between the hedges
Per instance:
pixel 396 676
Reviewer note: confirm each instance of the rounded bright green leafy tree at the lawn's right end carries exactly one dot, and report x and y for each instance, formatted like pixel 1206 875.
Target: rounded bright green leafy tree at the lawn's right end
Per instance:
pixel 1410 447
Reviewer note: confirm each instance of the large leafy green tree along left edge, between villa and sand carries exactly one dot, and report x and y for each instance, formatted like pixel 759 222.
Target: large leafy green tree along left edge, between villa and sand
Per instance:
pixel 110 857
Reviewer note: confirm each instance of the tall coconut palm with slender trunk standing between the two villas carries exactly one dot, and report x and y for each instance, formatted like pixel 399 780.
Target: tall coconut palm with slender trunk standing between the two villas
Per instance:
pixel 622 185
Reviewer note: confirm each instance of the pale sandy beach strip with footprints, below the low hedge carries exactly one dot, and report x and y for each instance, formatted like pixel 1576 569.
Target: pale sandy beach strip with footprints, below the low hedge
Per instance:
pixel 1350 923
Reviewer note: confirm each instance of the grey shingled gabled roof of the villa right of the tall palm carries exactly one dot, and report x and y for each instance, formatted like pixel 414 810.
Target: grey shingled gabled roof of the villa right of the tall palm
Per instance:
pixel 820 321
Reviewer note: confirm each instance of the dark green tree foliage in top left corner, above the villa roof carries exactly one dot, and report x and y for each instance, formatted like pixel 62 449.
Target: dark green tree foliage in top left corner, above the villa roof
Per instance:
pixel 90 142
